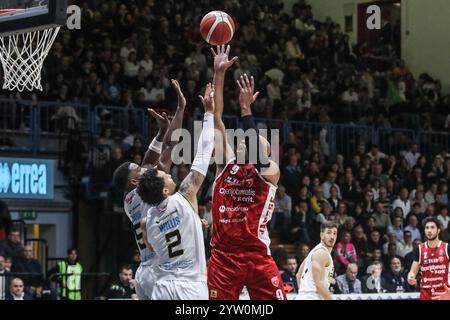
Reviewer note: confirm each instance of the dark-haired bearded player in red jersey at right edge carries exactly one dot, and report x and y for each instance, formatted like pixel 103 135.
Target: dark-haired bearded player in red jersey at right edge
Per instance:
pixel 432 260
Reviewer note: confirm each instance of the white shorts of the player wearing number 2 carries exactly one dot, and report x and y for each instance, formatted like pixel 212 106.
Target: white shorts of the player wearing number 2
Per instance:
pixel 180 290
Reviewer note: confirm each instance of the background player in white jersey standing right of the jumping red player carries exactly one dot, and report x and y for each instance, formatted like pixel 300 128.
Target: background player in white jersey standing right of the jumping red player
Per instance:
pixel 316 272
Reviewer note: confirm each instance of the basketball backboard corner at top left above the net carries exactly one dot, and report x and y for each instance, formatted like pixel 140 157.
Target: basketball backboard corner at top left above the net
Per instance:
pixel 31 15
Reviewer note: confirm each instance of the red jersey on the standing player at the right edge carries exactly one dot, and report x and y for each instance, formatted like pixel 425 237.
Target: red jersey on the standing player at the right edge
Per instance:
pixel 434 268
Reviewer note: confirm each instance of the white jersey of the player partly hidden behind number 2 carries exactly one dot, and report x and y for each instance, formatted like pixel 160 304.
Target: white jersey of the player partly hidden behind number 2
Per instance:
pixel 136 209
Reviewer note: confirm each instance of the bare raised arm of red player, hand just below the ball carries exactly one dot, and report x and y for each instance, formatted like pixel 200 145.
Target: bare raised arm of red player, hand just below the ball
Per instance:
pixel 223 152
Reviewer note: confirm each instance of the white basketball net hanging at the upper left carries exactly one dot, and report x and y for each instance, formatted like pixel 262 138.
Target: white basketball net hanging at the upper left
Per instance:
pixel 22 56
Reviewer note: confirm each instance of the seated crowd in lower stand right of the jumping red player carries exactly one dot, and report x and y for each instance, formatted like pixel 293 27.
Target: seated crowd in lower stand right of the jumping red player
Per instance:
pixel 379 202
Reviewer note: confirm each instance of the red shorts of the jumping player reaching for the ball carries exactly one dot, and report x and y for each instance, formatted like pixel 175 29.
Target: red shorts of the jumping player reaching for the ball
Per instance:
pixel 228 273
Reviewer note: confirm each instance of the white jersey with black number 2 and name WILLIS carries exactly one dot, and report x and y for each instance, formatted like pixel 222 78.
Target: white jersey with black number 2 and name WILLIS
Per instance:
pixel 174 230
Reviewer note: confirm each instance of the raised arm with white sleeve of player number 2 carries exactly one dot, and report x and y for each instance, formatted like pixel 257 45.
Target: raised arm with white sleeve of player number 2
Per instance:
pixel 190 186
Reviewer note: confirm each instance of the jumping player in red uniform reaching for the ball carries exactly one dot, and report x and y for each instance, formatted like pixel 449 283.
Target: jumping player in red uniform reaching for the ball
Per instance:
pixel 243 202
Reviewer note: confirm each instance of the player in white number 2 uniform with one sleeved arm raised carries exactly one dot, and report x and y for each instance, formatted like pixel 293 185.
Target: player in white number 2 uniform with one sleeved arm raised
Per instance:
pixel 173 226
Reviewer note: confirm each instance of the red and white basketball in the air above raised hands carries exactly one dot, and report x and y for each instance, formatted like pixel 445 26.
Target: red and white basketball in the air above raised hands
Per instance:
pixel 217 28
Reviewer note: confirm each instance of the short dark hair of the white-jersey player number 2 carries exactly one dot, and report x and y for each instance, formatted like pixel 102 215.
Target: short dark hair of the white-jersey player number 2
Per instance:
pixel 150 187
